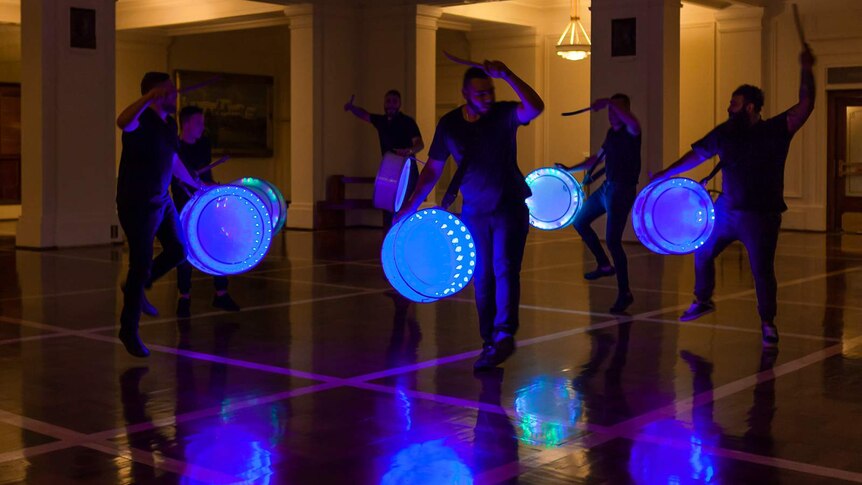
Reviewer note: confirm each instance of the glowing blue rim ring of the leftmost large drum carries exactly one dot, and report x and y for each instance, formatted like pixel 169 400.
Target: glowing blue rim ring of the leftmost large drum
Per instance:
pixel 195 248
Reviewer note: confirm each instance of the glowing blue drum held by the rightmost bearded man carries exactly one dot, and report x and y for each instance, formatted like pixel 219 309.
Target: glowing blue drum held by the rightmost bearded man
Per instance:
pixel 673 216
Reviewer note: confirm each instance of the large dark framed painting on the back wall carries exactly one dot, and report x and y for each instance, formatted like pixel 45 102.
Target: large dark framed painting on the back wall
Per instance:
pixel 237 110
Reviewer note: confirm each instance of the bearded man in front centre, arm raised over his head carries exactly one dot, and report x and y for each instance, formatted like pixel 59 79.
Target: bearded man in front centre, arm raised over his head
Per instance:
pixel 480 135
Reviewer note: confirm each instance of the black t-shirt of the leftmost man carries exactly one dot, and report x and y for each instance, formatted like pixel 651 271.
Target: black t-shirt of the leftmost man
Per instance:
pixel 146 160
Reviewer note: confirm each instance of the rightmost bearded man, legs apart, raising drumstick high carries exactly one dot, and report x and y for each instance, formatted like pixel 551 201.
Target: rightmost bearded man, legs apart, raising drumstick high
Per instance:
pixel 752 153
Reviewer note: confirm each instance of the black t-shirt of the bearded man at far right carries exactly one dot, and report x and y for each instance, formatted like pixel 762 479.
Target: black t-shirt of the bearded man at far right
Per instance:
pixel 752 161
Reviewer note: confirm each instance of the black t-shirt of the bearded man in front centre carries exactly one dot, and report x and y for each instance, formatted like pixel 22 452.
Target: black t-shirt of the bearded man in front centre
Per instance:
pixel 488 147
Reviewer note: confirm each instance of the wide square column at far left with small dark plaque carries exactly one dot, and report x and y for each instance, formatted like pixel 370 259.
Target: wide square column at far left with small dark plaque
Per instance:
pixel 68 175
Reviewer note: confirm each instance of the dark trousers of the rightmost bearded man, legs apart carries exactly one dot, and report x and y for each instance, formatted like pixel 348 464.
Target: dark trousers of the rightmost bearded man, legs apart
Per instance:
pixel 758 232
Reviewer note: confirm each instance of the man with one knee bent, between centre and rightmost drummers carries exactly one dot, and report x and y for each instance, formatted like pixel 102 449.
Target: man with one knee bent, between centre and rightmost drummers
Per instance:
pixel 621 152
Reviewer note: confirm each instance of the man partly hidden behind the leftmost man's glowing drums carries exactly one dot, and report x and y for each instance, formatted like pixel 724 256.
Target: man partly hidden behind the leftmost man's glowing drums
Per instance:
pixel 195 151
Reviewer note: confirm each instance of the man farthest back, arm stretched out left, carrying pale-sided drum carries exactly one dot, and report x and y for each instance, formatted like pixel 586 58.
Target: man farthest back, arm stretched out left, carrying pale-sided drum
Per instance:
pixel 397 132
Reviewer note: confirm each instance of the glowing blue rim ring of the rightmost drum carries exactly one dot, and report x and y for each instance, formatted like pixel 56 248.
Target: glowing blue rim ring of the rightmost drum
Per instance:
pixel 644 203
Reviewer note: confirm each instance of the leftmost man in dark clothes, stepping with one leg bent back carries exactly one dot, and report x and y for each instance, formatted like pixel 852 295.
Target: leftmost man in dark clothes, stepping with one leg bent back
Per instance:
pixel 144 207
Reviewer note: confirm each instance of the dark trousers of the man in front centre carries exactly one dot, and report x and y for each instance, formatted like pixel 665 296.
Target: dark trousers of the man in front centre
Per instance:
pixel 500 238
